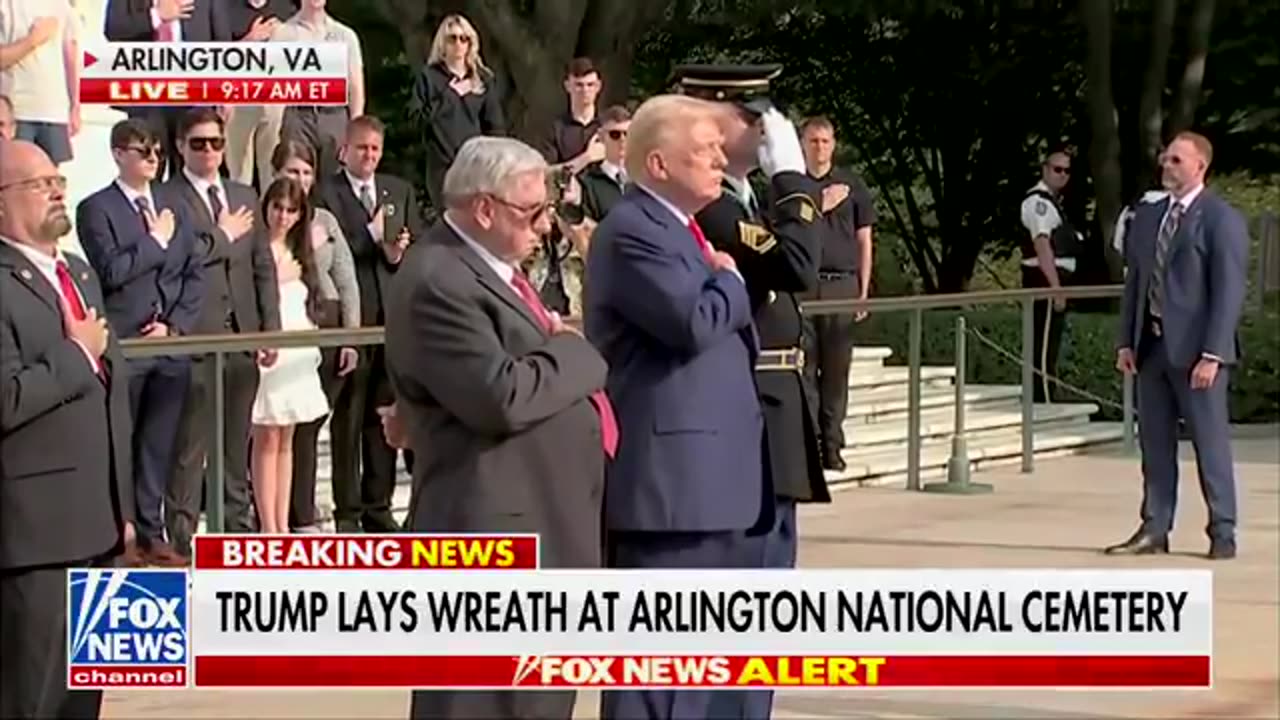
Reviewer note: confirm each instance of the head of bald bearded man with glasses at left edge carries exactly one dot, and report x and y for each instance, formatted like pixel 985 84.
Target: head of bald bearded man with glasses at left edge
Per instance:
pixel 33 197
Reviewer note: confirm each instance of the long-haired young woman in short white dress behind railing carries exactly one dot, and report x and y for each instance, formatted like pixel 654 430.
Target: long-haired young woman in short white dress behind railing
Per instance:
pixel 290 391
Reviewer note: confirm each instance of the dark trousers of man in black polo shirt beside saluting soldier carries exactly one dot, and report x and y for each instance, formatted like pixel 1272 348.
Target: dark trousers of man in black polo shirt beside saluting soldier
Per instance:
pixel 829 352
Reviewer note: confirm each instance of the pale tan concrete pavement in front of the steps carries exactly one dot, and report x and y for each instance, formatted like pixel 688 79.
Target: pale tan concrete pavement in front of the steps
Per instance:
pixel 1058 517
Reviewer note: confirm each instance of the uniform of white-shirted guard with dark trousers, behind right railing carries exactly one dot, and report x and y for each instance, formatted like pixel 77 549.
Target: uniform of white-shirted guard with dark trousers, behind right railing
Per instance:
pixel 1043 215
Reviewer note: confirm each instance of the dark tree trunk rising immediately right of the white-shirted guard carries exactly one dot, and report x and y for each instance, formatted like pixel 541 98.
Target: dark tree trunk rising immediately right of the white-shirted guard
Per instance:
pixel 1105 147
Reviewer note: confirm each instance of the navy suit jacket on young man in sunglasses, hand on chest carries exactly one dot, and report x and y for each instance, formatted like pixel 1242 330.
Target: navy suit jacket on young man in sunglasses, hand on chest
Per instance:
pixel 141 281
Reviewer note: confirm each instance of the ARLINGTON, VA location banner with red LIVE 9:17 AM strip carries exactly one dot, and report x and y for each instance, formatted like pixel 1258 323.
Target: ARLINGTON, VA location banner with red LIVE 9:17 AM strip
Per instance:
pixel 216 74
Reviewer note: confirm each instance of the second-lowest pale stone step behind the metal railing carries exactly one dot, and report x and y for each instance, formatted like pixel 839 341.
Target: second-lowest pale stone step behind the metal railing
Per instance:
pixel 940 423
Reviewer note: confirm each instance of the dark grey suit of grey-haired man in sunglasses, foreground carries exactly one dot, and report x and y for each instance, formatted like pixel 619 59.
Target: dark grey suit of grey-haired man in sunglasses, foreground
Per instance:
pixel 495 407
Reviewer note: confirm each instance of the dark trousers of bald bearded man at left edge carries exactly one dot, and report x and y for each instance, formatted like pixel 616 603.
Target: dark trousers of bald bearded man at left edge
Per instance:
pixel 34 646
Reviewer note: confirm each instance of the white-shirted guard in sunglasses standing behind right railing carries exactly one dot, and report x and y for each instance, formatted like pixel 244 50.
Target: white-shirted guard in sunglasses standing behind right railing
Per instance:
pixel 1050 252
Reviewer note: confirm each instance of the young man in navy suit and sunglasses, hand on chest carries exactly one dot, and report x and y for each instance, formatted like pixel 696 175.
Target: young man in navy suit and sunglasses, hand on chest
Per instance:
pixel 138 239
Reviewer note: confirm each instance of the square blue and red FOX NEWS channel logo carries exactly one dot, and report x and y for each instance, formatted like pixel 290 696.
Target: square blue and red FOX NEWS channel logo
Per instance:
pixel 127 628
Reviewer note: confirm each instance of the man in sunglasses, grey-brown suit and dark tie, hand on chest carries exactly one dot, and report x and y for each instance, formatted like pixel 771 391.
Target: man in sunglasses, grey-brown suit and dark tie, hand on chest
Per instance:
pixel 241 297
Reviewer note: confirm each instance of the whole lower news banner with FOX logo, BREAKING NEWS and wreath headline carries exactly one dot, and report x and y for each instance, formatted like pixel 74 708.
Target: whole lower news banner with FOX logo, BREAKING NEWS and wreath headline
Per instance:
pixel 477 613
